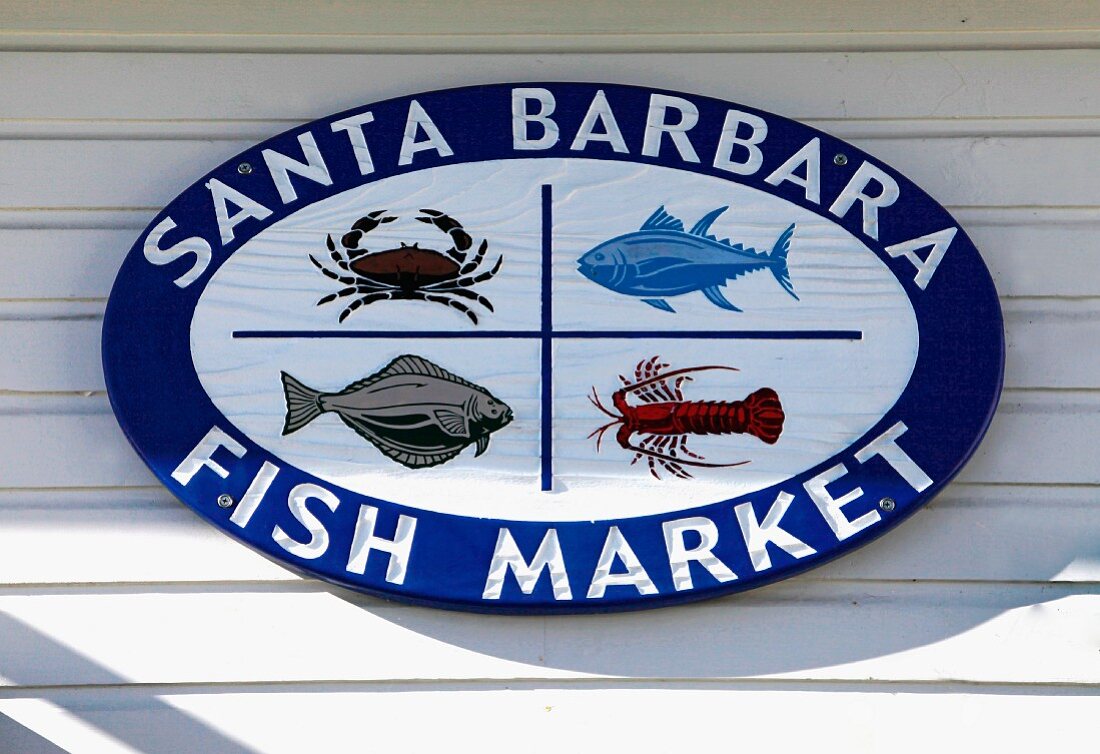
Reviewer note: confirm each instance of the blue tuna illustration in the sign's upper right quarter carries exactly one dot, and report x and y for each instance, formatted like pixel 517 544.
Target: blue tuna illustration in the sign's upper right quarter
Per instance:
pixel 663 260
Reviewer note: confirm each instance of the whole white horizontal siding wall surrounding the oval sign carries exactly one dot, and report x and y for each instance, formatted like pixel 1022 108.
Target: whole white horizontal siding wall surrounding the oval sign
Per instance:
pixel 127 625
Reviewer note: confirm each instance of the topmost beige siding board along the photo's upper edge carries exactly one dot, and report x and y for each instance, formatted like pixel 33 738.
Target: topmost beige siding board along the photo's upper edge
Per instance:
pixel 566 18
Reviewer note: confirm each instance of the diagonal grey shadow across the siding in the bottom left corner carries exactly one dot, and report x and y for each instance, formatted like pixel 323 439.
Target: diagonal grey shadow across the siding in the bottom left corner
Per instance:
pixel 173 726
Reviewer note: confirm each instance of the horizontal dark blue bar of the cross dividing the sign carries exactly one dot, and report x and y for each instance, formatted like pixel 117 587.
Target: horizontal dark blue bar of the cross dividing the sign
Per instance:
pixel 577 335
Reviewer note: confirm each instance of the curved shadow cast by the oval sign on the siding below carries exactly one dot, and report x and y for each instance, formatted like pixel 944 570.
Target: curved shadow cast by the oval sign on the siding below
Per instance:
pixel 796 627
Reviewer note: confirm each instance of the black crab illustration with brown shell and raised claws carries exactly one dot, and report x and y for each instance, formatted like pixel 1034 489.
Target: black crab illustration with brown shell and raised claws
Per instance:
pixel 409 272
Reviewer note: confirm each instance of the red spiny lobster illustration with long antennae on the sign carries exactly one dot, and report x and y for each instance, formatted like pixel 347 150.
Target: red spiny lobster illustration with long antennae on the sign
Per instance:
pixel 666 419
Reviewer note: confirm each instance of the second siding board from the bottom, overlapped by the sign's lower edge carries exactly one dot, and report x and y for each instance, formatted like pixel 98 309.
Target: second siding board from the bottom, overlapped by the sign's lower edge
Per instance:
pixel 930 633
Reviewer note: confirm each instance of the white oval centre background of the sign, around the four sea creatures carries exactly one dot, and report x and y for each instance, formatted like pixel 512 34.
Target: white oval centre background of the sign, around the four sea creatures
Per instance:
pixel 832 391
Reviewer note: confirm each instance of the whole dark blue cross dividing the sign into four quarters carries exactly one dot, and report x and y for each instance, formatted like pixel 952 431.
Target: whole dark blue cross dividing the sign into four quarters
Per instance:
pixel 547 334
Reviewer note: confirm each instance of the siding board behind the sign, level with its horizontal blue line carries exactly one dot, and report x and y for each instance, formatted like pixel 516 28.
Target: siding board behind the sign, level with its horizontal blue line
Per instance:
pixel 56 346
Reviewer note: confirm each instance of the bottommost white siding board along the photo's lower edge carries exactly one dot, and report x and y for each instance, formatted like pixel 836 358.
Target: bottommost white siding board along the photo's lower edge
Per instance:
pixel 666 718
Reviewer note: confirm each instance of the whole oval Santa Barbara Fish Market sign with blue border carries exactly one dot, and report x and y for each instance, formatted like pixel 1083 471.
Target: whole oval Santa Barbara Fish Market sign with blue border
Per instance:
pixel 554 348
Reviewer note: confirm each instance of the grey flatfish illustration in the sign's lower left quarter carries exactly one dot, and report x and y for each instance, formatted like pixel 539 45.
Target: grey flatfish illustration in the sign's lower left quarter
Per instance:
pixel 414 411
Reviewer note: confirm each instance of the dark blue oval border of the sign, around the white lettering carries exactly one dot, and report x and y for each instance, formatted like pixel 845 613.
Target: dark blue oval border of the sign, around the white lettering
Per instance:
pixel 162 408
